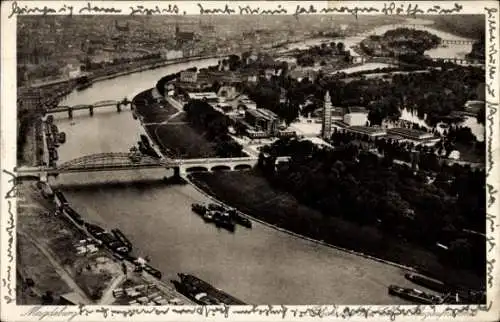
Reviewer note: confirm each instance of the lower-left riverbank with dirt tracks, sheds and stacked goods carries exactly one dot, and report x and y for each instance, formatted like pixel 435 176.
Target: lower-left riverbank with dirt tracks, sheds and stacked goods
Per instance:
pixel 62 260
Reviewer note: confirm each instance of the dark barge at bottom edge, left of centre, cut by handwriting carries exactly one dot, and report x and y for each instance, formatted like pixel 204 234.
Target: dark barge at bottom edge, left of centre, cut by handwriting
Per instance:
pixel 202 292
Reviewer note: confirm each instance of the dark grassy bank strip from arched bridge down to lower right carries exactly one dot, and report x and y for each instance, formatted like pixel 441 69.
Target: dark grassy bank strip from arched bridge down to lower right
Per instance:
pixel 251 193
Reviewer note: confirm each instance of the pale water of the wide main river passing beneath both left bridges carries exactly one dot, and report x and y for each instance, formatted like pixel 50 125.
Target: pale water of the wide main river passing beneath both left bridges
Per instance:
pixel 259 266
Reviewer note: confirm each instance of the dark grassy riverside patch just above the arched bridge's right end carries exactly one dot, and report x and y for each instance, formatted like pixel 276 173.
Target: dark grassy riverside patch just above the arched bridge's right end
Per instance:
pixel 183 141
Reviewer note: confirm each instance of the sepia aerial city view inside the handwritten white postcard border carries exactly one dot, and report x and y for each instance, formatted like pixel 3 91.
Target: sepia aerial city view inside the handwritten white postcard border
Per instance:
pixel 250 159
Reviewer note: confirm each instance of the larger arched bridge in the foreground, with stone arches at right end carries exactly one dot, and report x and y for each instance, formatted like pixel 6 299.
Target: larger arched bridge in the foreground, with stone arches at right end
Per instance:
pixel 124 161
